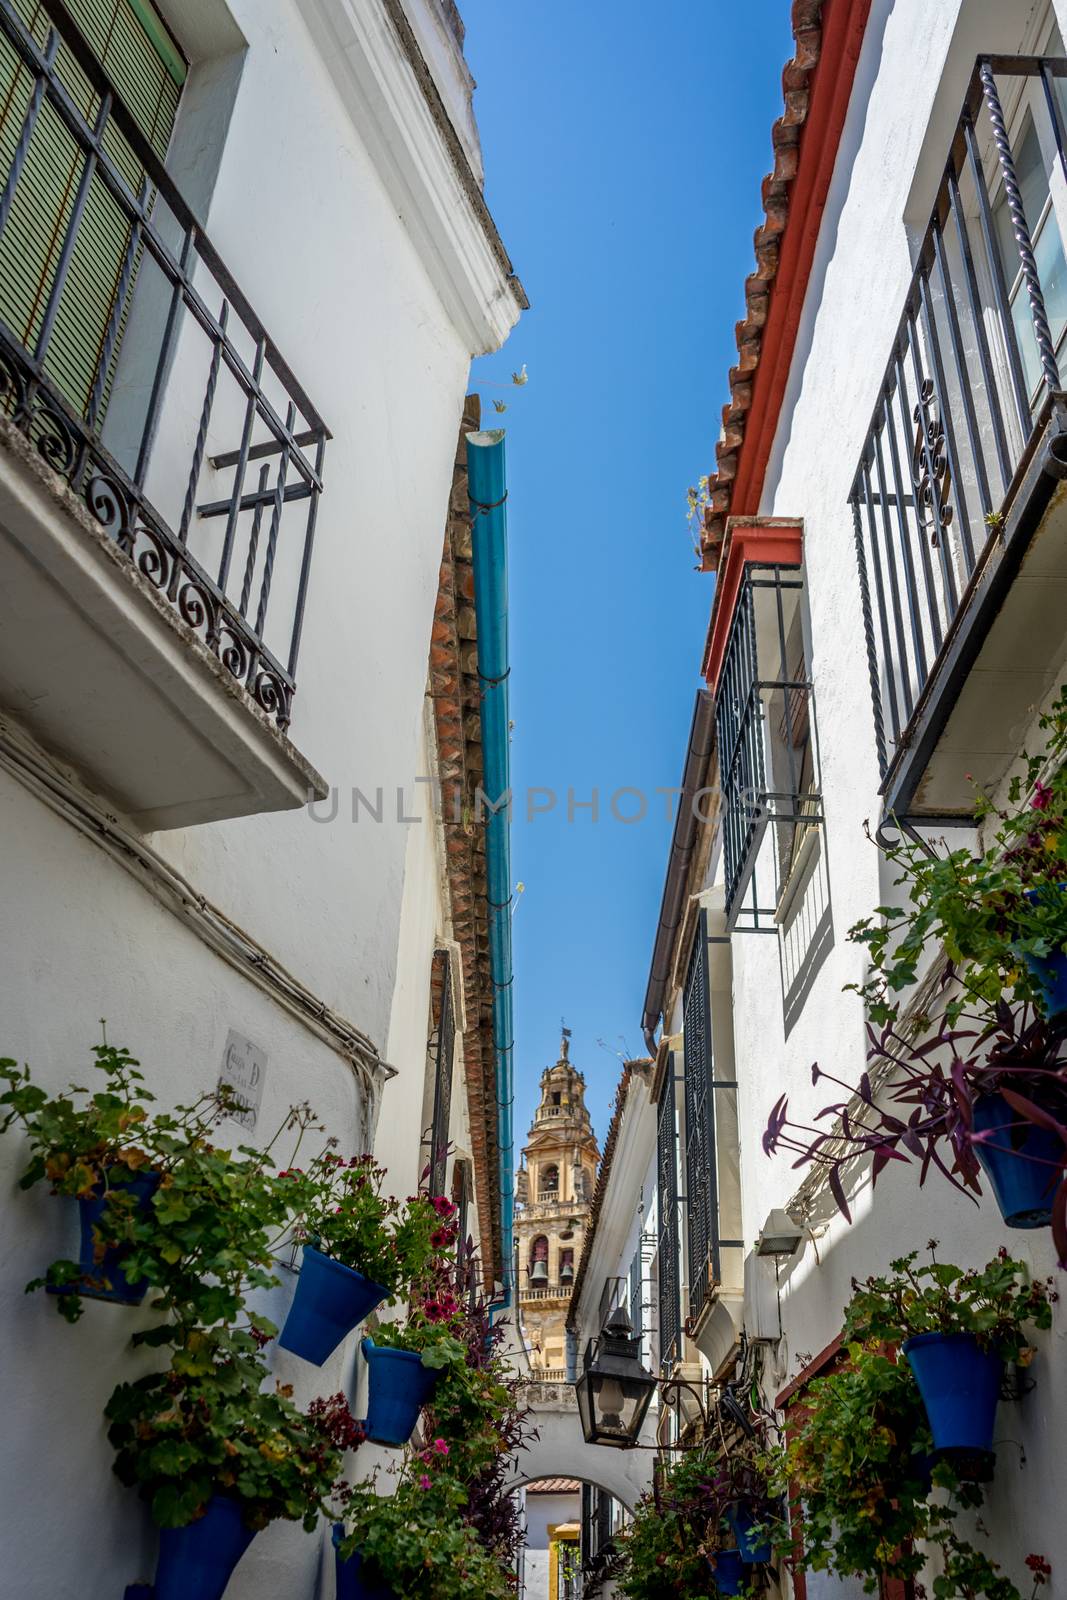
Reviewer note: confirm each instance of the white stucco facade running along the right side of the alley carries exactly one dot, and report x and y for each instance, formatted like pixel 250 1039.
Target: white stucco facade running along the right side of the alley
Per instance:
pixel 767 1026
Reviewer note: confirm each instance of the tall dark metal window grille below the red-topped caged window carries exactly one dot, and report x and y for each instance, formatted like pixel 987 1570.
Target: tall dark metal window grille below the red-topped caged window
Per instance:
pixel 701 1183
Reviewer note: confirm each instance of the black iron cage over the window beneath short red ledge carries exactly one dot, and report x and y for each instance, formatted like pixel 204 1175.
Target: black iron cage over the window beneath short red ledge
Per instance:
pixel 767 746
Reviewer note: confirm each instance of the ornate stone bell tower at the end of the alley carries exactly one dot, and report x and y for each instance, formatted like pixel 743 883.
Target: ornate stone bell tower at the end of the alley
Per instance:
pixel 553 1204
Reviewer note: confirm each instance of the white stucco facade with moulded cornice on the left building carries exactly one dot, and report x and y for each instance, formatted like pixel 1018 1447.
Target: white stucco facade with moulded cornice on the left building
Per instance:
pixel 318 146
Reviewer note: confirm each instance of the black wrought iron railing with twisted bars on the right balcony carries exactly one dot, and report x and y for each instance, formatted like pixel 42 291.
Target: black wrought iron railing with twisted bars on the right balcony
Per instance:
pixel 972 383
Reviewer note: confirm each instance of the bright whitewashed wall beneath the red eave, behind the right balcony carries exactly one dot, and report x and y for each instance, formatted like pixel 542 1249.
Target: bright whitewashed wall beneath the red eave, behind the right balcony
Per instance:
pixel 911 79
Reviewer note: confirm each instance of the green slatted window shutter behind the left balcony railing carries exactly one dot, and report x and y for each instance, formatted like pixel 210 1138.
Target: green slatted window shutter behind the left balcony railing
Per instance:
pixel 148 71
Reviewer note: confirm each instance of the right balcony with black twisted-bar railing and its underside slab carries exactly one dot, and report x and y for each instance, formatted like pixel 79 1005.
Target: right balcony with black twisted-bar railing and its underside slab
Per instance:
pixel 961 516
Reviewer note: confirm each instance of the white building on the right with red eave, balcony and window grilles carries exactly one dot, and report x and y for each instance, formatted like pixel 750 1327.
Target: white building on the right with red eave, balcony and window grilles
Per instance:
pixel 889 540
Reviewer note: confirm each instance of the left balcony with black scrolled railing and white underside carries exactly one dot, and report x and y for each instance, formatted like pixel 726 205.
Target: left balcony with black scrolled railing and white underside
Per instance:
pixel 161 466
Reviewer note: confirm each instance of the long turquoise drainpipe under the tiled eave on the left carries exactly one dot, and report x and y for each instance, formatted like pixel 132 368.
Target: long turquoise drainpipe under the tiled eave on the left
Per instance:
pixel 489 494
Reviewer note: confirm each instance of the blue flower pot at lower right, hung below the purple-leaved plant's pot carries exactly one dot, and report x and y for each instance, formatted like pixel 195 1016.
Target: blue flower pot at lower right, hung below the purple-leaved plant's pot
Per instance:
pixel 961 1388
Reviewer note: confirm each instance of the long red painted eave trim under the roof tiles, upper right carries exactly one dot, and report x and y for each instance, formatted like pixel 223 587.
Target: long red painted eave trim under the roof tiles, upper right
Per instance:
pixel 844 23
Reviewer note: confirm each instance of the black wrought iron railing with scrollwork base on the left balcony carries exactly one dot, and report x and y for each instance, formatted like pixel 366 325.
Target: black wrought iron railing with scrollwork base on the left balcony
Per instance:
pixel 178 327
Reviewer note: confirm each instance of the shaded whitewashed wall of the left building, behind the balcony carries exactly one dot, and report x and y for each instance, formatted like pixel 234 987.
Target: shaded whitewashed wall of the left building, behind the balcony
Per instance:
pixel 364 310
